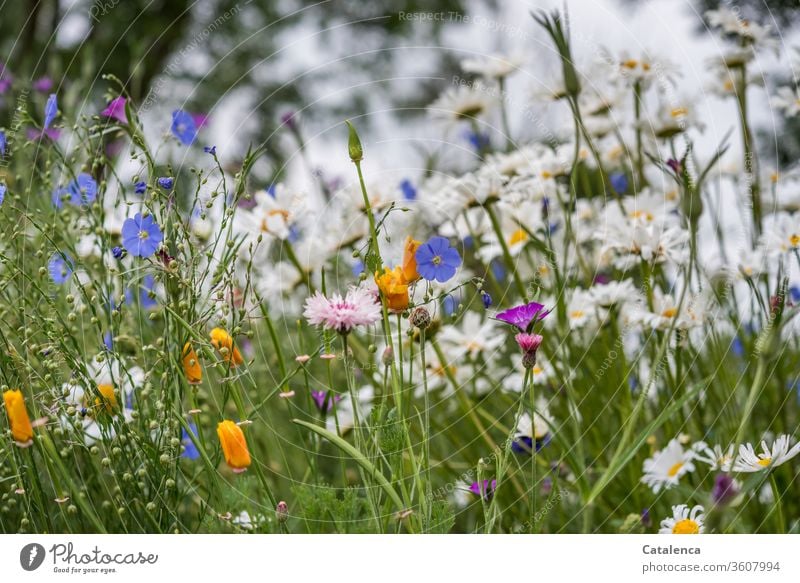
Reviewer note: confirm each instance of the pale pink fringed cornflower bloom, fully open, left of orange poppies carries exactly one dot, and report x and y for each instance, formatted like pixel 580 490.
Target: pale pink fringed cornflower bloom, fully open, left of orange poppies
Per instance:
pixel 359 307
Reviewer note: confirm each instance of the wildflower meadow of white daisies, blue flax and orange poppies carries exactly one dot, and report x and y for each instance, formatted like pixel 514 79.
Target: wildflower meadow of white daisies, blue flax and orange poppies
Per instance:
pixel 581 327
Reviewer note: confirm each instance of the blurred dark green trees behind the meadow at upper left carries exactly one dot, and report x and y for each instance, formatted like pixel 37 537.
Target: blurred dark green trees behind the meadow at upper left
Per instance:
pixel 195 55
